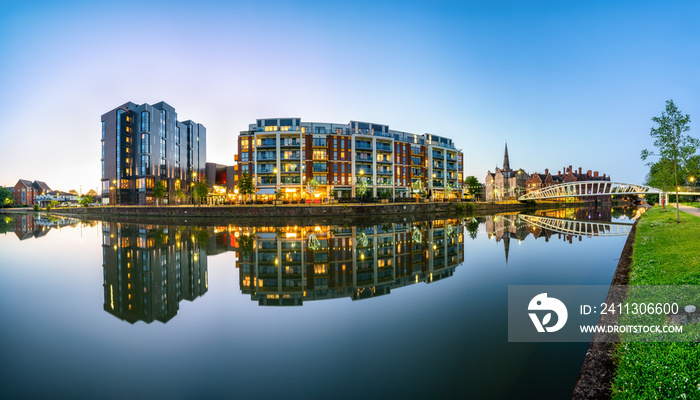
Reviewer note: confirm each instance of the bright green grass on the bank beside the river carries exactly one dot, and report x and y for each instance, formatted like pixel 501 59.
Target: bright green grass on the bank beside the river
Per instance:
pixel 665 253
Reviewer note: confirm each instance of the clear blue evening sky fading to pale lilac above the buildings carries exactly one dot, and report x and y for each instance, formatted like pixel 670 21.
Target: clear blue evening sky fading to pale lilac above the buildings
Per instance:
pixel 563 83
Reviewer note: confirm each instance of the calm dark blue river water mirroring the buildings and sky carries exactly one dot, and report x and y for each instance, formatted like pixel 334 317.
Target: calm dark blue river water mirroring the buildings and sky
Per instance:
pixel 393 310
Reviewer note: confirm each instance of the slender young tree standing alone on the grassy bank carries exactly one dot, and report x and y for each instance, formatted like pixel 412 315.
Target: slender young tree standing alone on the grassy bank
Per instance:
pixel 673 145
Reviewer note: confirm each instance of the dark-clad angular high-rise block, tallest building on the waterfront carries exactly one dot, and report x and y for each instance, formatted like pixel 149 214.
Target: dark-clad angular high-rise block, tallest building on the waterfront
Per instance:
pixel 145 143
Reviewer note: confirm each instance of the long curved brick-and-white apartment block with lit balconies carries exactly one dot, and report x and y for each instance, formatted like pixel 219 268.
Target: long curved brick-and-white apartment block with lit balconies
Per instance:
pixel 286 153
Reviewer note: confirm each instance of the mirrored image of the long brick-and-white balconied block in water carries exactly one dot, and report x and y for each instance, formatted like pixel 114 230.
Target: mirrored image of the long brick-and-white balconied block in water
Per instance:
pixel 289 265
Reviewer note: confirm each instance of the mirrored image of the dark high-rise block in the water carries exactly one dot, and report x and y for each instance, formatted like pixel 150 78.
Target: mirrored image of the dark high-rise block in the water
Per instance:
pixel 148 270
